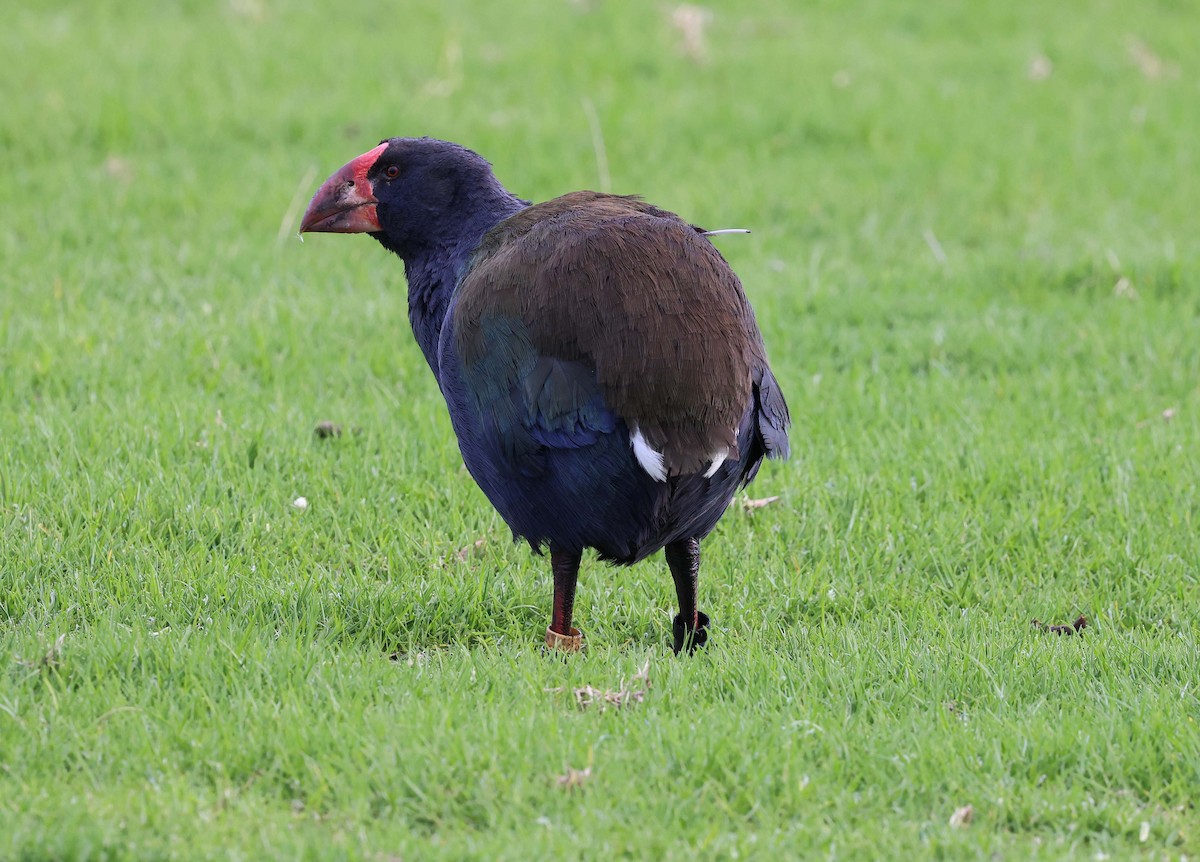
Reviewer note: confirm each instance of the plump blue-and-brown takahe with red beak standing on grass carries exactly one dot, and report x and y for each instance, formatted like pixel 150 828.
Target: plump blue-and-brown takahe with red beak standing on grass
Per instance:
pixel 603 369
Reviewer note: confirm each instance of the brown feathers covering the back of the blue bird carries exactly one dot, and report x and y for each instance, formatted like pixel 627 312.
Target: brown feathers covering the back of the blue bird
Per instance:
pixel 638 295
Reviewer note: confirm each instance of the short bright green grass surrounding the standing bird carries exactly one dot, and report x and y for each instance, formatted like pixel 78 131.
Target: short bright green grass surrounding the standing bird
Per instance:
pixel 981 291
